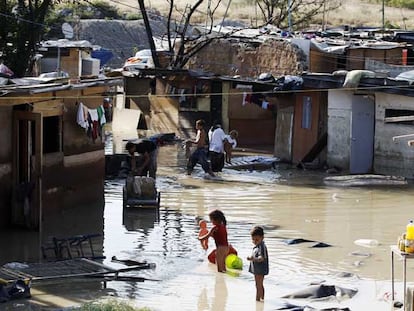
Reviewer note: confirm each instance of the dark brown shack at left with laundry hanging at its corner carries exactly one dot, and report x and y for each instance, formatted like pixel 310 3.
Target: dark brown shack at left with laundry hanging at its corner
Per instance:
pixel 47 153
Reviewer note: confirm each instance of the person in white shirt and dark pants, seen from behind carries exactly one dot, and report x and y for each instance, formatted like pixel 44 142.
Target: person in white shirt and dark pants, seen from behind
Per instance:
pixel 216 137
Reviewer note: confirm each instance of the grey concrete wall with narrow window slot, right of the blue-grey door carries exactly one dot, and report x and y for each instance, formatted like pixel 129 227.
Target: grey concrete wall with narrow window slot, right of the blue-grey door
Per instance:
pixel 393 158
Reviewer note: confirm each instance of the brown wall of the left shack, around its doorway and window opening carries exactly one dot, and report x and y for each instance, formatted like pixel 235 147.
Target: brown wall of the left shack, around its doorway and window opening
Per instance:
pixel 70 177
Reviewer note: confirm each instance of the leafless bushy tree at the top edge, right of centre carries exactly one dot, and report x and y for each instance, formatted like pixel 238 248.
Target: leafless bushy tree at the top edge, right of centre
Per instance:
pixel 285 13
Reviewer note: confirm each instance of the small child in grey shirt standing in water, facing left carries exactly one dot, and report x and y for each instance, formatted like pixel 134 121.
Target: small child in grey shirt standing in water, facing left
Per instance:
pixel 259 261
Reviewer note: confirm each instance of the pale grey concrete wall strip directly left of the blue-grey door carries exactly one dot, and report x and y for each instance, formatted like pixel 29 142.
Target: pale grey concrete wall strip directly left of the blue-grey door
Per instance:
pixel 339 128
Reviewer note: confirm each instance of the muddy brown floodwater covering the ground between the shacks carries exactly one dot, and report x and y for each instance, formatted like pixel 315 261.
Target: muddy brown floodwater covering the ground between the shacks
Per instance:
pixel 287 202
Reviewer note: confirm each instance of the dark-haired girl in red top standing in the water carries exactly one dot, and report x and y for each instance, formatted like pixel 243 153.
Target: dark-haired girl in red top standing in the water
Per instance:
pixel 219 233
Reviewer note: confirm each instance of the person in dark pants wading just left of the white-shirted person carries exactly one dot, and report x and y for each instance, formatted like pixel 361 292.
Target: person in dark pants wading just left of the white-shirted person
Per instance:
pixel 200 154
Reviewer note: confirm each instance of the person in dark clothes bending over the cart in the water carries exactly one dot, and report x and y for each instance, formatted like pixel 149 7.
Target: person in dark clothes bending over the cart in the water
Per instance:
pixel 149 152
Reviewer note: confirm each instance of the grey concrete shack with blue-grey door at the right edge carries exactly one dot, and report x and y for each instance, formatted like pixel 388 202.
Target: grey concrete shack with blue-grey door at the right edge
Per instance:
pixel 369 127
